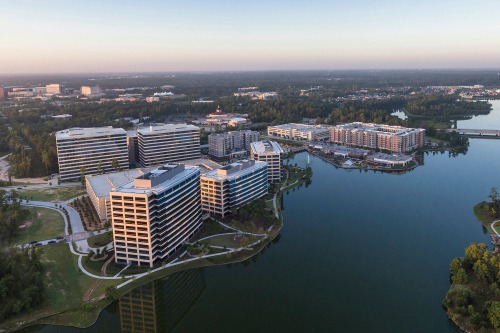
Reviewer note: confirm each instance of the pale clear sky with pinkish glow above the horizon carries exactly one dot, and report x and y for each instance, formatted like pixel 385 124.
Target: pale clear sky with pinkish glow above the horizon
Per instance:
pixel 221 35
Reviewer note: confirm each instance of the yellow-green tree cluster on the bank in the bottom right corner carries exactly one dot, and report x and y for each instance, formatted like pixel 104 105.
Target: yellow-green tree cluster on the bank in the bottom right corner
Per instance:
pixel 474 296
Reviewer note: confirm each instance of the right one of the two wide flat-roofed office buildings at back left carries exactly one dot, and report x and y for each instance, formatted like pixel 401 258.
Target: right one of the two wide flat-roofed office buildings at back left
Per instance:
pixel 166 143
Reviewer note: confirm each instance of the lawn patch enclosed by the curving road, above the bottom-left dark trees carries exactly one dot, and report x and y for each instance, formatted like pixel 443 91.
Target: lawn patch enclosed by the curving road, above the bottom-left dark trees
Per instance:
pixel 45 224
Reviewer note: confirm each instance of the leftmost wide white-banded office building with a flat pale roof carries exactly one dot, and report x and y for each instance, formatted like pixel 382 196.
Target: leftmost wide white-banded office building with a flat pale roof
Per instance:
pixel 91 150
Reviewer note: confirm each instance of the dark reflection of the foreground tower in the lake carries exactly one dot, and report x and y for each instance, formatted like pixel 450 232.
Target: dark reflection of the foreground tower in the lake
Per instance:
pixel 160 305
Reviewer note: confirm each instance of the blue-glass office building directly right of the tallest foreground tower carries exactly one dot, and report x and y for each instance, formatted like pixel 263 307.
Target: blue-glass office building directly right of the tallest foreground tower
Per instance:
pixel 232 186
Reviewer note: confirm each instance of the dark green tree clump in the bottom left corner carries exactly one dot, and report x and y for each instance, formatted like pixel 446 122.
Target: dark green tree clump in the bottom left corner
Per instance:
pixel 21 281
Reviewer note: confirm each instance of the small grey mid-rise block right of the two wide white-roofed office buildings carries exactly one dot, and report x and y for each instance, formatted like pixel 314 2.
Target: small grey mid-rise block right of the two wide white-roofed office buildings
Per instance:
pixel 225 145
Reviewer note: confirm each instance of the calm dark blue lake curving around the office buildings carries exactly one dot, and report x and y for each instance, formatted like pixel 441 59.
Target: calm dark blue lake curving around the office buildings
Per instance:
pixel 359 252
